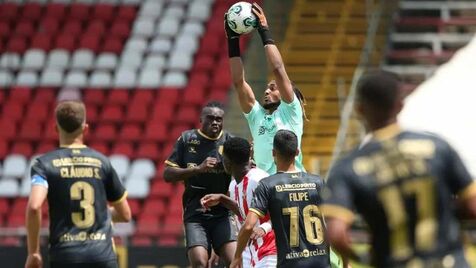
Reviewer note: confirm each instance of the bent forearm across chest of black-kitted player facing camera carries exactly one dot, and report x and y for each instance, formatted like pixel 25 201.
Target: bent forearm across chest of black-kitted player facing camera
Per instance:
pixel 174 173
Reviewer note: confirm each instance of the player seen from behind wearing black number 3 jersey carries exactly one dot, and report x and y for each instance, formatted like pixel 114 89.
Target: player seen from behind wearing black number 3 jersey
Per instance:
pixel 78 183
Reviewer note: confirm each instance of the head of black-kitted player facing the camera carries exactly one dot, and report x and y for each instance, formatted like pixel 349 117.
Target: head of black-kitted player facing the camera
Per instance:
pixel 211 119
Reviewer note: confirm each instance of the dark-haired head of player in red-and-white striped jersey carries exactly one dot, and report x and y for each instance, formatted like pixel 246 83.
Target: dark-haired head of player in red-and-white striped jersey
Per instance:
pixel 236 153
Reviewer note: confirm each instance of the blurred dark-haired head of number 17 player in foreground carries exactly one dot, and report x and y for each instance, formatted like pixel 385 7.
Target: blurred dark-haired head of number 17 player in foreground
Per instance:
pixel 379 98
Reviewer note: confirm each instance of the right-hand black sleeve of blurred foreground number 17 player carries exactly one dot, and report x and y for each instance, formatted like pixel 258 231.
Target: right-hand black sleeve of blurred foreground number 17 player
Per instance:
pixel 457 175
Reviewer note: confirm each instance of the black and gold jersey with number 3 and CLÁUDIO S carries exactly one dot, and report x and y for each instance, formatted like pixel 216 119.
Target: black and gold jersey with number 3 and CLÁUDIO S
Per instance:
pixel 80 182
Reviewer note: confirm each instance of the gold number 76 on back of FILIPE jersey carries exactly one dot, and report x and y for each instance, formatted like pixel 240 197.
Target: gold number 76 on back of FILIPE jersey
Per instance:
pixel 313 226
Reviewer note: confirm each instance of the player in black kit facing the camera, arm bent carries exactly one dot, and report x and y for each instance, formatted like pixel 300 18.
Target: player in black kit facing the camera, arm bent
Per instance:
pixel 197 161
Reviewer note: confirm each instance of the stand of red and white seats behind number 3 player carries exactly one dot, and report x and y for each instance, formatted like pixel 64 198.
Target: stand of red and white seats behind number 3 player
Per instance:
pixel 131 62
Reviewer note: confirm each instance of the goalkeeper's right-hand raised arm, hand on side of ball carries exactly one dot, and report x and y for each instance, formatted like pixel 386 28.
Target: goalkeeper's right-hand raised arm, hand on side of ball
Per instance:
pixel 274 57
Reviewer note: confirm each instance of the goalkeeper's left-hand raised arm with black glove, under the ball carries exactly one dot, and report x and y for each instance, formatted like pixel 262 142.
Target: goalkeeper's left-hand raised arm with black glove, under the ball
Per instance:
pixel 246 96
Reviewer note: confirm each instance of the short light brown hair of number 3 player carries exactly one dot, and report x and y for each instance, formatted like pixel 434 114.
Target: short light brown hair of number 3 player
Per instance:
pixel 70 115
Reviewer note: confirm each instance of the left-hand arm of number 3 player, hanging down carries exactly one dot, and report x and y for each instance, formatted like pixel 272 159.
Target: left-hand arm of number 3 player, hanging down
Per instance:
pixel 33 224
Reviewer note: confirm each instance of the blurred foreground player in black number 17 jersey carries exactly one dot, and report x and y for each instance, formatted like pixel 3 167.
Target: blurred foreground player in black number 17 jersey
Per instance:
pixel 403 184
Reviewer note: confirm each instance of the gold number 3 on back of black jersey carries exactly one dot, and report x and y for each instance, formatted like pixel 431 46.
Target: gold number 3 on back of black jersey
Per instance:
pixel 84 193
